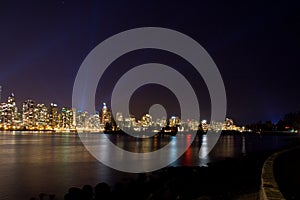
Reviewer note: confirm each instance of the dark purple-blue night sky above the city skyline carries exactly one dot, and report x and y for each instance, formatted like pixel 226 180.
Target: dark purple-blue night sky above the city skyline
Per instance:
pixel 255 45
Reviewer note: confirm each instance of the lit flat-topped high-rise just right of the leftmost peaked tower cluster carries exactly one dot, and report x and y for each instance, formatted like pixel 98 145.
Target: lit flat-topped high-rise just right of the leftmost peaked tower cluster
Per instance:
pixel 28 114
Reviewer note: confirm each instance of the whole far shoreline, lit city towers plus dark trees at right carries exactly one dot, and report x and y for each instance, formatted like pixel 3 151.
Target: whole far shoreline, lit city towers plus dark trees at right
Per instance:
pixel 52 117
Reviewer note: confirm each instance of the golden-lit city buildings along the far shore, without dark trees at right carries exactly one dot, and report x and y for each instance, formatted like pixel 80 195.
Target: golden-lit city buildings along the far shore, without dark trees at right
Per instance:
pixel 39 117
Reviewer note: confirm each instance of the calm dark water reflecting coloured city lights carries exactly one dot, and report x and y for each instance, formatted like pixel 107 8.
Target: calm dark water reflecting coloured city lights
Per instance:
pixel 35 163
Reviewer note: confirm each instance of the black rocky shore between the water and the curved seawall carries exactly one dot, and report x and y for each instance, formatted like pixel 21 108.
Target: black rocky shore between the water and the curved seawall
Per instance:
pixel 227 179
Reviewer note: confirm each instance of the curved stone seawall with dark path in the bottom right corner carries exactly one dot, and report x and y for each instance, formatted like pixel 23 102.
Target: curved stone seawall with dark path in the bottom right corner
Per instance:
pixel 280 177
